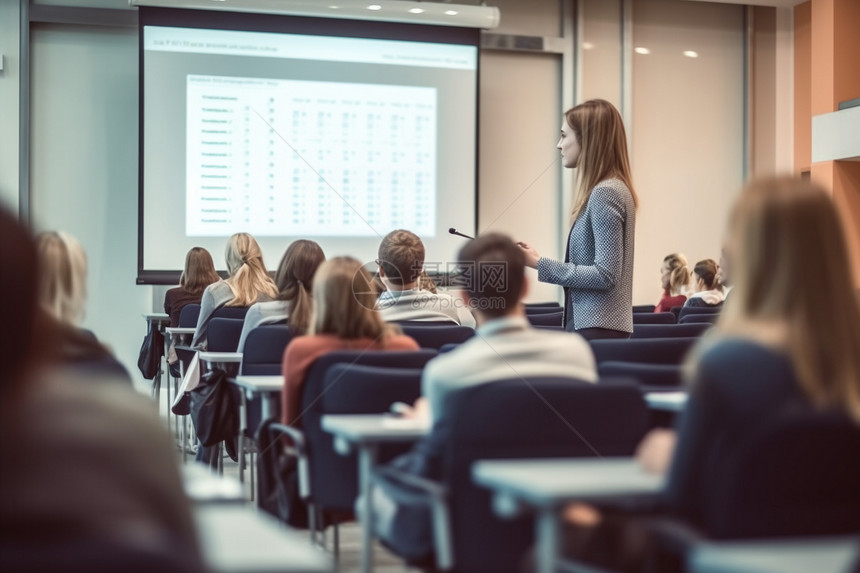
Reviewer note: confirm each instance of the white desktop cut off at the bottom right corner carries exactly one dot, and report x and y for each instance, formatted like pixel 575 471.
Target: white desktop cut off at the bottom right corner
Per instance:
pixel 827 555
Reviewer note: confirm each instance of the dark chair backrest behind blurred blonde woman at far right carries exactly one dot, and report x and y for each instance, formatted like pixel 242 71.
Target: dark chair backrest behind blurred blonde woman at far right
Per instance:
pixel 798 476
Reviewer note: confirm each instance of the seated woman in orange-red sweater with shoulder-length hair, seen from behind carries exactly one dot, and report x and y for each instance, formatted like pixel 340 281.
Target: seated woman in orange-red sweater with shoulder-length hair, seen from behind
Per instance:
pixel 343 319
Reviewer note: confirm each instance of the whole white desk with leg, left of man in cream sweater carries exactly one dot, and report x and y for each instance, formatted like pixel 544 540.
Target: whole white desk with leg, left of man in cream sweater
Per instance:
pixel 364 432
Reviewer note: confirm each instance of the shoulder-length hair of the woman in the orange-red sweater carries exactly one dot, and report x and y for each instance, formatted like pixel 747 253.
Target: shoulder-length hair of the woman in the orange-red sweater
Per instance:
pixel 344 302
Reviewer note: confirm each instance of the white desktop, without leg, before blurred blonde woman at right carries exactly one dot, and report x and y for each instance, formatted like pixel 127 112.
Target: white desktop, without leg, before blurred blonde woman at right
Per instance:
pixel 554 482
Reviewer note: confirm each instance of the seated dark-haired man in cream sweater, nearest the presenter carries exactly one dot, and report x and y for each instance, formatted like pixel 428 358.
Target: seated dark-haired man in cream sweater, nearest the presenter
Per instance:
pixel 504 346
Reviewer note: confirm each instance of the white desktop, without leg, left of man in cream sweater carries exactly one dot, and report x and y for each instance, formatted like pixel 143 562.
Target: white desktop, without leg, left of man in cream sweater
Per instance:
pixel 374 428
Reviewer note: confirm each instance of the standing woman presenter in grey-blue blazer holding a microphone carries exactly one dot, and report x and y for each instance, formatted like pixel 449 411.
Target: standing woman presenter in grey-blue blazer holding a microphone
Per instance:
pixel 597 272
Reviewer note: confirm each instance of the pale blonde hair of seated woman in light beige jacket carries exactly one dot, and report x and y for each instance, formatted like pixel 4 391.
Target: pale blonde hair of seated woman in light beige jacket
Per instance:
pixel 248 275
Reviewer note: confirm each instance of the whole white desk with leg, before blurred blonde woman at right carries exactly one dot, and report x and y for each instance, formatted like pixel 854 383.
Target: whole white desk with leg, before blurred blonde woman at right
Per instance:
pixel 548 485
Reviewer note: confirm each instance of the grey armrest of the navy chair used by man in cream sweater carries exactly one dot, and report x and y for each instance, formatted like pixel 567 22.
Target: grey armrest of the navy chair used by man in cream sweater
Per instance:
pixel 430 493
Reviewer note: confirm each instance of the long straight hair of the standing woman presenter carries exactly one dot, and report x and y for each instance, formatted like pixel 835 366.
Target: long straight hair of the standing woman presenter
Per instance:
pixel 599 130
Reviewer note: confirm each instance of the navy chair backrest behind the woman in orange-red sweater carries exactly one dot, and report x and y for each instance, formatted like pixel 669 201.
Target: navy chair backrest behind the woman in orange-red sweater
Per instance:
pixel 352 389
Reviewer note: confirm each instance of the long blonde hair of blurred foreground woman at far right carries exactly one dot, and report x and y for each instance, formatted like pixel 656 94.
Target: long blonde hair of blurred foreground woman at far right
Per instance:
pixel 791 270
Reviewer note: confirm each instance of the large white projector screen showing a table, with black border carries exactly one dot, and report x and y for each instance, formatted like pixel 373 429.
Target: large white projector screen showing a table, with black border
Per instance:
pixel 287 128
